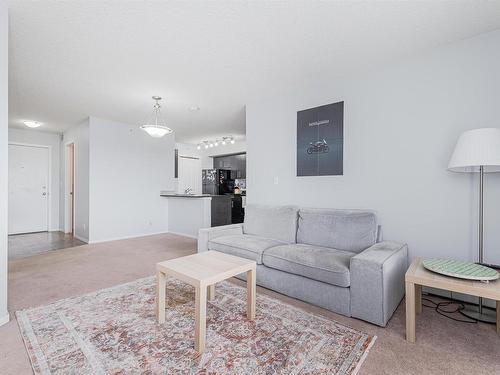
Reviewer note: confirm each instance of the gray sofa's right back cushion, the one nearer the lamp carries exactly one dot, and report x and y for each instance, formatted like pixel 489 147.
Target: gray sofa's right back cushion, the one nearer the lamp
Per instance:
pixel 350 230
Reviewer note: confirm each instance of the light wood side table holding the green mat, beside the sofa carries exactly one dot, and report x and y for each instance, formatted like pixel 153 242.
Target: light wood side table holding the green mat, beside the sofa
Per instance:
pixel 417 276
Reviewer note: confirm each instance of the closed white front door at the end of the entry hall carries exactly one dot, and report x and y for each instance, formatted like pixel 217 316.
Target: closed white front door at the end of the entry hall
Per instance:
pixel 28 189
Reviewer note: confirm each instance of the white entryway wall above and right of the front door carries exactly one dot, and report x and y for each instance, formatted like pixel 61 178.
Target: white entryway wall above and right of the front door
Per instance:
pixel 33 137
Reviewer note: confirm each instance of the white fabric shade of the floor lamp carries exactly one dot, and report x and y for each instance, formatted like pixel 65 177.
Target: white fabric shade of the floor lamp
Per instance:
pixel 475 148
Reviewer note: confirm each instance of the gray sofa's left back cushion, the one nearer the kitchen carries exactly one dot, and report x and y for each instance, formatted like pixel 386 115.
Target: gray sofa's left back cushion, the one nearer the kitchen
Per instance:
pixel 276 222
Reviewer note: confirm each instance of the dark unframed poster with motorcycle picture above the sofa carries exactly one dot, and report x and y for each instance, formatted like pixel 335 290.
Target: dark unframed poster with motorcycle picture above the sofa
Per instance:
pixel 320 140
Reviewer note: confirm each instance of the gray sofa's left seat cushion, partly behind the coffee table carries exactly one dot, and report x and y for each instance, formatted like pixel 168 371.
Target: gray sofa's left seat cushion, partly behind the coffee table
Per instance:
pixel 243 245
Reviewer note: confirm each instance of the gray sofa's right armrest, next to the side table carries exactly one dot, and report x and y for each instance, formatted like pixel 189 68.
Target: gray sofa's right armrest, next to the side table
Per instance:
pixel 377 281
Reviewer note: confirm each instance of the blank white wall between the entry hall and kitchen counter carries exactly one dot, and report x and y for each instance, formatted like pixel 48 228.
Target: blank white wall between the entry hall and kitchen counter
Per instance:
pixel 128 169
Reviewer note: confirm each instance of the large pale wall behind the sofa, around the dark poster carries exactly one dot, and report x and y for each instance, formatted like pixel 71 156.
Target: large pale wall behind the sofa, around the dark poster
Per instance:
pixel 400 125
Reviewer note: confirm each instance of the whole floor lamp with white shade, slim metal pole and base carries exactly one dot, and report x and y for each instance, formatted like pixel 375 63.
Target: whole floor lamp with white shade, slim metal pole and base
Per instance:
pixel 478 151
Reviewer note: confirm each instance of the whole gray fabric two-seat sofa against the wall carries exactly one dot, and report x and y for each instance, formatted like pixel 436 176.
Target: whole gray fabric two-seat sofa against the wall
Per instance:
pixel 330 258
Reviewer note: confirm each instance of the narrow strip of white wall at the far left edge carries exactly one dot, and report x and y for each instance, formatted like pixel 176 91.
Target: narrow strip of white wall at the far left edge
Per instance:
pixel 4 171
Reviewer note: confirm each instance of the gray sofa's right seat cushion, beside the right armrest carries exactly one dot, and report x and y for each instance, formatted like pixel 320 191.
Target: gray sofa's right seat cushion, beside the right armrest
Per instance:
pixel 318 263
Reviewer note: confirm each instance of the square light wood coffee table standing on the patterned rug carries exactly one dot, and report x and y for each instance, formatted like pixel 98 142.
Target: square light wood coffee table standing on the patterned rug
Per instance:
pixel 202 271
